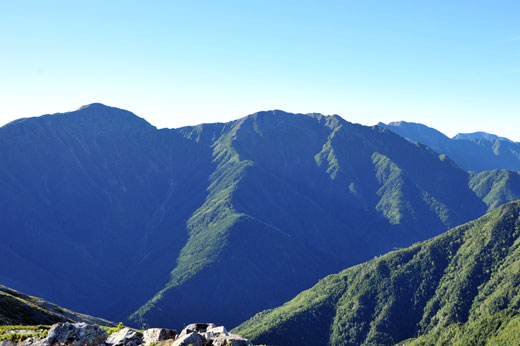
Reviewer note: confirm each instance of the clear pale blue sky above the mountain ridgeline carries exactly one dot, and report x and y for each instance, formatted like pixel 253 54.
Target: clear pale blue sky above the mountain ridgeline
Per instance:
pixel 453 65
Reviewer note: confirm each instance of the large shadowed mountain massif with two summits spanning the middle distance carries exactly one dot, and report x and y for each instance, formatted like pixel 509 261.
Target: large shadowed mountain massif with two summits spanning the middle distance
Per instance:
pixel 217 221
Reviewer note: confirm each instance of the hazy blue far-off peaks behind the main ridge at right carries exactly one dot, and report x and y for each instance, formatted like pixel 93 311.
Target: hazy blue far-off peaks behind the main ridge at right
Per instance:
pixel 476 152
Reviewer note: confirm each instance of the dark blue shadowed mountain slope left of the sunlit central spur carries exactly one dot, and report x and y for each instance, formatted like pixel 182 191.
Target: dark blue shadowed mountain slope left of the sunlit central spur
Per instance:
pixel 98 201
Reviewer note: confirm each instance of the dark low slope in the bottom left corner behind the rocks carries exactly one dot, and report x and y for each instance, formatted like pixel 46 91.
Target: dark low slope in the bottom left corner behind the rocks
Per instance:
pixel 19 309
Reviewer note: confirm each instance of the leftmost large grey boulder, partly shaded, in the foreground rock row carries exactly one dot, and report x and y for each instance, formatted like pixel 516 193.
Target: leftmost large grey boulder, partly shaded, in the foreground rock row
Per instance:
pixel 75 334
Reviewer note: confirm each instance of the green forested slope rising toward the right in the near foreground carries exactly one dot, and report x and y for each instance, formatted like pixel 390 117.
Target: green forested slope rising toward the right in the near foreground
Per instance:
pixel 460 288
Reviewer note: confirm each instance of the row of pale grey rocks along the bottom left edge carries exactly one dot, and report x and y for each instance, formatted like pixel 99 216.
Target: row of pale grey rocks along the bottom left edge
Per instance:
pixel 83 334
